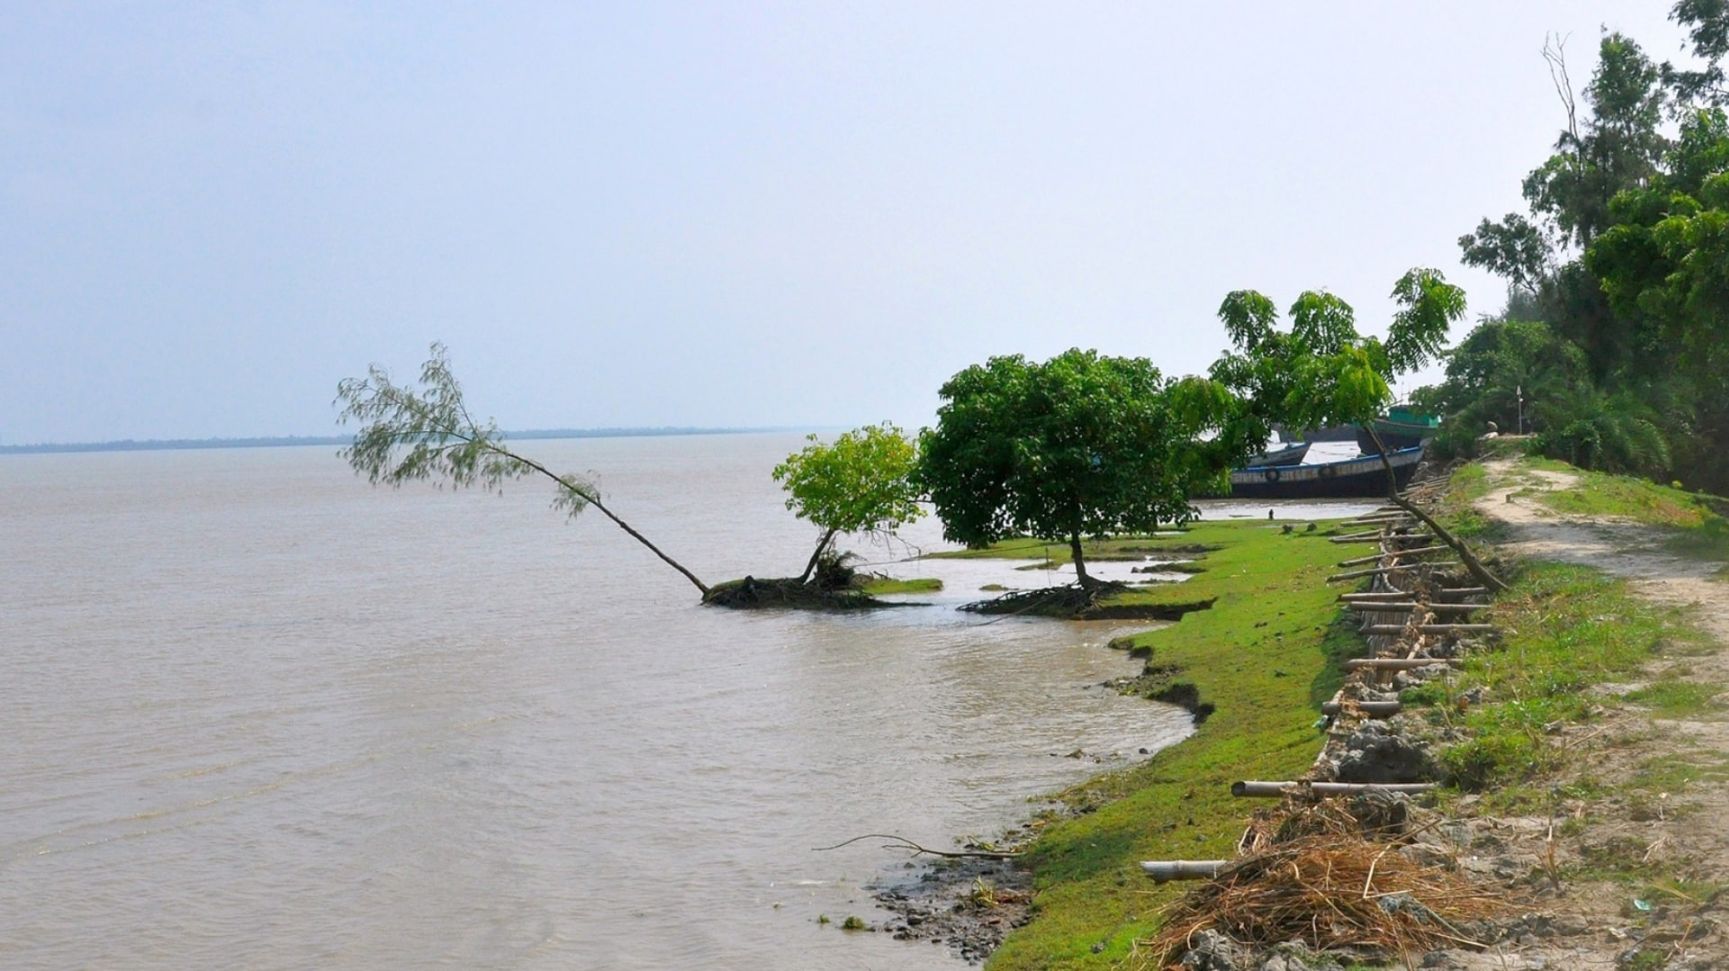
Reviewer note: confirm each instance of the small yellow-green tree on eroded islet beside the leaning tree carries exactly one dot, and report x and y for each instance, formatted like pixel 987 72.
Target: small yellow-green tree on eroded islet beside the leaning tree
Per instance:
pixel 860 483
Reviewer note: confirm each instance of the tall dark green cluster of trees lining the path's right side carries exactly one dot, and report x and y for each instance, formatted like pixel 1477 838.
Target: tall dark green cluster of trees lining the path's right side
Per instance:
pixel 1617 324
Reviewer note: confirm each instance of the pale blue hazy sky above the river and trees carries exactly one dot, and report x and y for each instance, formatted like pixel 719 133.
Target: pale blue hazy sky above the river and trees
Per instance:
pixel 718 213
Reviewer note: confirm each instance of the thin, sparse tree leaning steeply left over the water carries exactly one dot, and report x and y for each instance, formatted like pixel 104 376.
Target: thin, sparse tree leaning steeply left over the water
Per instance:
pixel 428 435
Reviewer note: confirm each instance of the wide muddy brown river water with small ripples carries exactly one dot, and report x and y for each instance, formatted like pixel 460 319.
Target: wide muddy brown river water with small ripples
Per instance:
pixel 258 714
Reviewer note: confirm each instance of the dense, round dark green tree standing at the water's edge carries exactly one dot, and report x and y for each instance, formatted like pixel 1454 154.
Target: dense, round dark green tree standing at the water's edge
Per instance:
pixel 1073 448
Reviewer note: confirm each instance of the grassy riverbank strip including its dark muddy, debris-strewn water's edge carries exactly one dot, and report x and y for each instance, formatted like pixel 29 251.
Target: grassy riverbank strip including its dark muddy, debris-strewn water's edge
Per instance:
pixel 1251 668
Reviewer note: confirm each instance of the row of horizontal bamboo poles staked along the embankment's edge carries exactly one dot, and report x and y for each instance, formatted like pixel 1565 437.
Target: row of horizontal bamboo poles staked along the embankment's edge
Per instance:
pixel 1407 612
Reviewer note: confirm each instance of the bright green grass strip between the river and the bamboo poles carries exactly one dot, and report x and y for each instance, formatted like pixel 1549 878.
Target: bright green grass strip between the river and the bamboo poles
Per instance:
pixel 1261 656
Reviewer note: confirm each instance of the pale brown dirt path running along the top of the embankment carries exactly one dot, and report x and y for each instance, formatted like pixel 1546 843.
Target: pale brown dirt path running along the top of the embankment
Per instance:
pixel 1678 841
